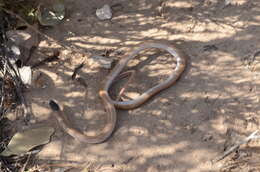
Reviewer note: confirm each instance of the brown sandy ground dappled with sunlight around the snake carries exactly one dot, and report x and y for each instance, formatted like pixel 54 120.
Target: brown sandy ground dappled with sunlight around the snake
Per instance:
pixel 185 126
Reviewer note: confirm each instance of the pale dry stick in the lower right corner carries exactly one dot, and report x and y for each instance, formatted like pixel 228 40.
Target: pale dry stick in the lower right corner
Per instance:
pixel 236 146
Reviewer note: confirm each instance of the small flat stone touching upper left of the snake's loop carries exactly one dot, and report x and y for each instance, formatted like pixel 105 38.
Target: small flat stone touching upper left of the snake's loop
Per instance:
pixel 101 61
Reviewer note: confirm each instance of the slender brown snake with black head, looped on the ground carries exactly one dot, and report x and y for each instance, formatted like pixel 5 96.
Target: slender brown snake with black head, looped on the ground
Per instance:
pixel 110 105
